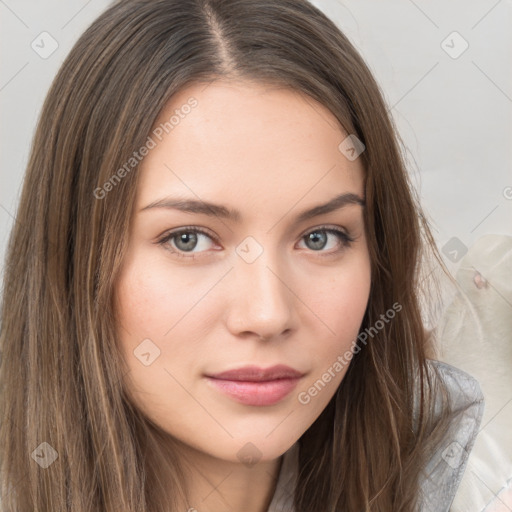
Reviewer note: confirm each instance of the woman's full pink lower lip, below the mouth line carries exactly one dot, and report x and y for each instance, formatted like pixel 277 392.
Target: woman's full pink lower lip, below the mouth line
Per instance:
pixel 256 393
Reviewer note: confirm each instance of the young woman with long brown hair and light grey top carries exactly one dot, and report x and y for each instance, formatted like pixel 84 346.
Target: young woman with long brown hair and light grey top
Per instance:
pixel 211 292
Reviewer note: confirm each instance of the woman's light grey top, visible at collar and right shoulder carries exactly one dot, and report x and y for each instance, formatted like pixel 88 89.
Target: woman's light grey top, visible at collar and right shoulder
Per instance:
pixel 445 467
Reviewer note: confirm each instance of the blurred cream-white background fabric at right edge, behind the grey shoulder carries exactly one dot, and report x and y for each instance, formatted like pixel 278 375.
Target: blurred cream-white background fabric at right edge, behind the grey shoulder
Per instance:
pixel 474 333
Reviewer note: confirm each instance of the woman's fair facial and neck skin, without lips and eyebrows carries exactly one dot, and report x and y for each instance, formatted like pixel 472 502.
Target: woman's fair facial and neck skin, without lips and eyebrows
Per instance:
pixel 270 153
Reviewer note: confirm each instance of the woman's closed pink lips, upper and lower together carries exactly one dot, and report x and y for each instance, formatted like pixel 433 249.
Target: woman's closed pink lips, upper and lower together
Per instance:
pixel 255 386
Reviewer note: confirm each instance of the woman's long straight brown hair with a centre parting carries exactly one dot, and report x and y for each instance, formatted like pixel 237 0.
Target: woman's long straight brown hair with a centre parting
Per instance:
pixel 62 372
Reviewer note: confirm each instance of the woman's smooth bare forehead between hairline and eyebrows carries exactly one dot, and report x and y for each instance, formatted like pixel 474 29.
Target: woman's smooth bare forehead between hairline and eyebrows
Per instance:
pixel 249 143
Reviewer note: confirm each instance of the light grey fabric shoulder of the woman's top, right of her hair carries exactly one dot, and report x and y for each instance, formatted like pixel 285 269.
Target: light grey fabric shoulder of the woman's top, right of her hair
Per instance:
pixel 446 465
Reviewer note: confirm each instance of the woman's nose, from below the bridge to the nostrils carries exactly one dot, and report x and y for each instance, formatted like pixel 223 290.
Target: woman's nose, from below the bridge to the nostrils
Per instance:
pixel 262 302
